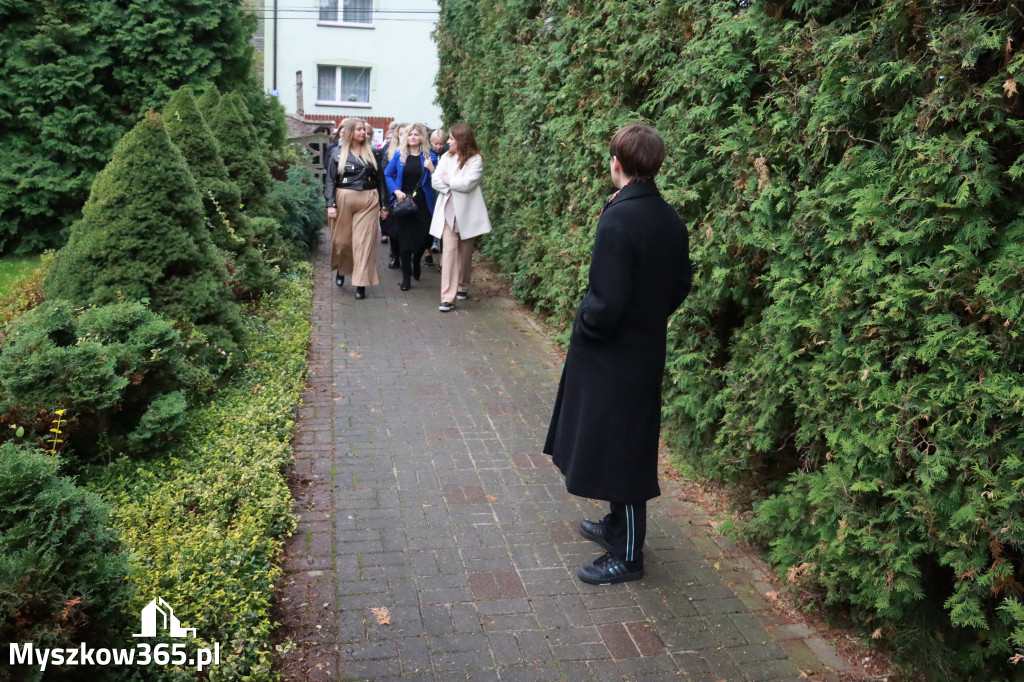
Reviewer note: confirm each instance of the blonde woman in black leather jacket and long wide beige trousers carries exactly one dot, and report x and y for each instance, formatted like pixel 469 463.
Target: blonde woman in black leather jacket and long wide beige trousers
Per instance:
pixel 357 199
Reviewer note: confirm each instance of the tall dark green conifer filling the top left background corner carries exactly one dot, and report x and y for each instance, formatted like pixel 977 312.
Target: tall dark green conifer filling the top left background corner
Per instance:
pixel 76 75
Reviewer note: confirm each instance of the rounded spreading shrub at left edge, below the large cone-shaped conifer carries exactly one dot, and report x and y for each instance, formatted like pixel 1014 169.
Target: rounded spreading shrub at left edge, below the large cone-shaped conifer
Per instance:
pixel 118 371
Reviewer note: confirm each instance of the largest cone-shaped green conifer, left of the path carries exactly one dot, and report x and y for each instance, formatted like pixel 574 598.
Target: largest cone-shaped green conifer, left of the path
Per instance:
pixel 143 238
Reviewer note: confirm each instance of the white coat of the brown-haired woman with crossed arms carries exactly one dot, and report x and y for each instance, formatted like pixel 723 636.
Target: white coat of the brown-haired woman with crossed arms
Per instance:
pixel 463 189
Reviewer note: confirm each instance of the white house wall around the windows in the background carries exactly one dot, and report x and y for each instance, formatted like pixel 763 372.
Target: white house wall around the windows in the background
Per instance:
pixel 398 49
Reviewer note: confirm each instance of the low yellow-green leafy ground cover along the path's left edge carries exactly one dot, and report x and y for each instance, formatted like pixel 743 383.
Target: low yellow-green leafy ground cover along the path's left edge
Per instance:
pixel 204 525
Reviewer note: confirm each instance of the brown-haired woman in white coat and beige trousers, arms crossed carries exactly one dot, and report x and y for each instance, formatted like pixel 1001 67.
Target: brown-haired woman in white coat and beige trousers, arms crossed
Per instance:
pixel 460 216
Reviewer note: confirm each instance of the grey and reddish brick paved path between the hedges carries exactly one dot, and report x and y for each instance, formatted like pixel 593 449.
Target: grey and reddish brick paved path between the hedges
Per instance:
pixel 437 543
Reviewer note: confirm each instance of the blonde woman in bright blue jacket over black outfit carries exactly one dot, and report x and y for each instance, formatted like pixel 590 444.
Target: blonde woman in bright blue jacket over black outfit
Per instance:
pixel 408 175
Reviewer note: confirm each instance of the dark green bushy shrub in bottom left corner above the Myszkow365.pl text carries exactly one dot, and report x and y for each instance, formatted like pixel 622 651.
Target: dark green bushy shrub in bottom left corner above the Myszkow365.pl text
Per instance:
pixel 62 571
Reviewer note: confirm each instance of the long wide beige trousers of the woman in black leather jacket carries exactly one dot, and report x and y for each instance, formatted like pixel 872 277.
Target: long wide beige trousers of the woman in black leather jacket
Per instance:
pixel 354 236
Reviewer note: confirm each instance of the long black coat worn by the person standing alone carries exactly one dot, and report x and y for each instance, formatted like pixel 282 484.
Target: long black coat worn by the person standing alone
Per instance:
pixel 608 416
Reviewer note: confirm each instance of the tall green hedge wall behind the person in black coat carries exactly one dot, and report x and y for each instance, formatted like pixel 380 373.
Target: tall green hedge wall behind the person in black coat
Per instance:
pixel 850 359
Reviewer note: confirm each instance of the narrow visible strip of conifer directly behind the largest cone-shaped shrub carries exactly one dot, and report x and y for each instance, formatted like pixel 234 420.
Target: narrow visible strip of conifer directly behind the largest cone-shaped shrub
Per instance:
pixel 229 227
